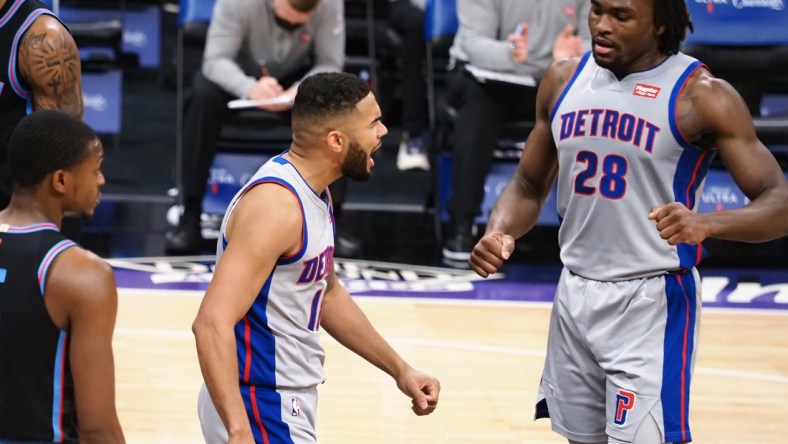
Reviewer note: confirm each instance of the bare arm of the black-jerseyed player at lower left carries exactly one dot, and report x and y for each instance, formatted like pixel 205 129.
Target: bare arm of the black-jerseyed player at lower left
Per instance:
pixel 82 298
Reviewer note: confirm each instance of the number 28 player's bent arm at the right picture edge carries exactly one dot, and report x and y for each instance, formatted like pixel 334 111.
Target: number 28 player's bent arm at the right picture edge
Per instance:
pixel 712 115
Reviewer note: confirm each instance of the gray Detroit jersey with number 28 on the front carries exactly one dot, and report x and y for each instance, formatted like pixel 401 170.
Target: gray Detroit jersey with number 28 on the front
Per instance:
pixel 620 153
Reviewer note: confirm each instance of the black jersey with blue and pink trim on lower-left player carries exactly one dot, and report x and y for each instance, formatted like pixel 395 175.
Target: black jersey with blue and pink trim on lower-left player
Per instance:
pixel 36 391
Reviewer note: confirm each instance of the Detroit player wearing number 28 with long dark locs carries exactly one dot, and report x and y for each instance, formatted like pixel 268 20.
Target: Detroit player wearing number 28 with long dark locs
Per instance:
pixel 628 131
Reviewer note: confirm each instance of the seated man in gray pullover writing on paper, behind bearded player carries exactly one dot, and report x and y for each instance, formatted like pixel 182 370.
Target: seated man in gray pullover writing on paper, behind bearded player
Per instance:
pixel 255 49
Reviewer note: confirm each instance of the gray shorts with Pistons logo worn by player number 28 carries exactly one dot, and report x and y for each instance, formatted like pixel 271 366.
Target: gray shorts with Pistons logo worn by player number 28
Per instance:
pixel 618 351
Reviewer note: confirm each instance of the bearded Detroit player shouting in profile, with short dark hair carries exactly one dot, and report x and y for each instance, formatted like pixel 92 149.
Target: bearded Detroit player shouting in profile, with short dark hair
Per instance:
pixel 274 287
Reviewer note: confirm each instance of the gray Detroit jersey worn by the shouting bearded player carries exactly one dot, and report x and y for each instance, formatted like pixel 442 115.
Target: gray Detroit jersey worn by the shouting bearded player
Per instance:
pixel 278 339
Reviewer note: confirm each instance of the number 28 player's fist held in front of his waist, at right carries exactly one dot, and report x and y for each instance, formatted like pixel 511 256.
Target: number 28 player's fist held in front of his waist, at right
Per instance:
pixel 677 224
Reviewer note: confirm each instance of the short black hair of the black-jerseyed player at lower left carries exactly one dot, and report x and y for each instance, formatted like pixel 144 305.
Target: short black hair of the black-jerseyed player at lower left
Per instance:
pixel 44 142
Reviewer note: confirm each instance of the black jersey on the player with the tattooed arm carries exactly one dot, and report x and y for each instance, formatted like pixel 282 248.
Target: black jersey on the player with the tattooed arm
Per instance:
pixel 16 99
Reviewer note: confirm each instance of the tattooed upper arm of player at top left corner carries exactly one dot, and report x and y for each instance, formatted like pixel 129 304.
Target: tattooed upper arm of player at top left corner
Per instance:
pixel 49 62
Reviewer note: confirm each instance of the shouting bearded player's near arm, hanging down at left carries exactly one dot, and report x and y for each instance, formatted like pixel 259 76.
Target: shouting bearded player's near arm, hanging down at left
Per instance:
pixel 263 227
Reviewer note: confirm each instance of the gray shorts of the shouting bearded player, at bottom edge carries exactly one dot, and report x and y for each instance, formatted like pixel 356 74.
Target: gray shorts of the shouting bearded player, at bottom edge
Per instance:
pixel 276 416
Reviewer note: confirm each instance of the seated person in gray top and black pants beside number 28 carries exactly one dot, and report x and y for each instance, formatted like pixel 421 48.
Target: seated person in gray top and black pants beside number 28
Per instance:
pixel 499 54
